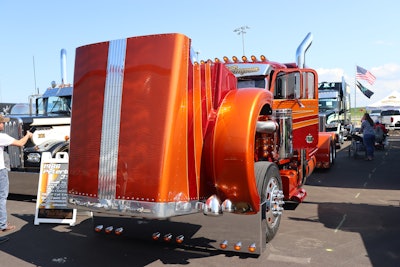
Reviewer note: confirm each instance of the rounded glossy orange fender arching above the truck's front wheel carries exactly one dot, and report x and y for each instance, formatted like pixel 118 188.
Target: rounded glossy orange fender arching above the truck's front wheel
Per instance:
pixel 233 145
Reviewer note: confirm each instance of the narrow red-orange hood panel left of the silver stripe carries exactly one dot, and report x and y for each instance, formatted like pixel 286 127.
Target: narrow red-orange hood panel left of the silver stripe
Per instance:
pixel 86 121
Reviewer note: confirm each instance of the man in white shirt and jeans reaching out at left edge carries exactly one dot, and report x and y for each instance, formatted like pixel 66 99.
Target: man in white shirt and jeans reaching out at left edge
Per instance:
pixel 6 140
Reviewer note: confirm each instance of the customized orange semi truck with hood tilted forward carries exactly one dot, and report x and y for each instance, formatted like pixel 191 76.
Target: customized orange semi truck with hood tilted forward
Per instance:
pixel 158 140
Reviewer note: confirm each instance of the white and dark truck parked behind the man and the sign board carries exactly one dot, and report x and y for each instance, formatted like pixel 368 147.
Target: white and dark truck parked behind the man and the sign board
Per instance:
pixel 49 119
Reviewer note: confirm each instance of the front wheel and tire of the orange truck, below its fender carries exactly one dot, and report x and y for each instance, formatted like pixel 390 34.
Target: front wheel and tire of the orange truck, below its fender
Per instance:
pixel 269 186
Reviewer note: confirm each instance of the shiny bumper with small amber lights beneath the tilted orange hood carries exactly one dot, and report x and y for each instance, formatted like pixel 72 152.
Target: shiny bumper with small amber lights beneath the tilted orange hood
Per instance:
pixel 199 232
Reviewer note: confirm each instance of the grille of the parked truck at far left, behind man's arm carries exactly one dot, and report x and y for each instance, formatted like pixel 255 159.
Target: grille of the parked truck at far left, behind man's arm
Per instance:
pixel 14 128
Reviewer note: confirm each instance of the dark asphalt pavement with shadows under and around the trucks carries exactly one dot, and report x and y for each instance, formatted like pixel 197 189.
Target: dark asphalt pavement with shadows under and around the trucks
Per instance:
pixel 350 217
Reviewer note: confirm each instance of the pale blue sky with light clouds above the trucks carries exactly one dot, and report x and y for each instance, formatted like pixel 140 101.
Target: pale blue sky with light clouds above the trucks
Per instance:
pixel 346 33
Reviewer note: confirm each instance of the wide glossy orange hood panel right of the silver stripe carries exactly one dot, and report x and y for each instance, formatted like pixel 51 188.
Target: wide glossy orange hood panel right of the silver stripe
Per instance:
pixel 153 155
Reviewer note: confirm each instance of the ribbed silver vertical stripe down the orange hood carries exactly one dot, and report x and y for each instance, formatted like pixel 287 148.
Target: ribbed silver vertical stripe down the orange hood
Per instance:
pixel 111 119
